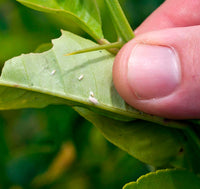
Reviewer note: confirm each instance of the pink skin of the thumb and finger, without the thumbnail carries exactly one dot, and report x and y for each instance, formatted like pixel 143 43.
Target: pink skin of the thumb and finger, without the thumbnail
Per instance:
pixel 175 24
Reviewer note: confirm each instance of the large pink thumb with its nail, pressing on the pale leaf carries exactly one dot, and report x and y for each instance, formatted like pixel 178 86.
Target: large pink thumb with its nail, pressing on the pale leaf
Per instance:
pixel 159 72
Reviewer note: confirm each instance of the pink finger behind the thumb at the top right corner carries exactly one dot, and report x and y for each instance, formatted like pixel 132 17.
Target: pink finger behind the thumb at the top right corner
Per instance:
pixel 172 13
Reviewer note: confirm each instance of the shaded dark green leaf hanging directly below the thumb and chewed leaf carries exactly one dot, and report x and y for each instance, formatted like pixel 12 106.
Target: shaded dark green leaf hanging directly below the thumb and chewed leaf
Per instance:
pixel 148 142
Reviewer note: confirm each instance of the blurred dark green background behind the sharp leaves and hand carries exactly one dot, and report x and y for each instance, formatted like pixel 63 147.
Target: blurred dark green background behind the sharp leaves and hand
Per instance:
pixel 54 147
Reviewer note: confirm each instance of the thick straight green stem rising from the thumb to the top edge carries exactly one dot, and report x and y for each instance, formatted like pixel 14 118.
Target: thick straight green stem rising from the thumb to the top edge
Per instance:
pixel 119 20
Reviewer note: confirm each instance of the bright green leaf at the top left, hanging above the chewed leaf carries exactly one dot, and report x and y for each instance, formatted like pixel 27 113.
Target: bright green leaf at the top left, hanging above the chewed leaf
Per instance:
pixel 84 13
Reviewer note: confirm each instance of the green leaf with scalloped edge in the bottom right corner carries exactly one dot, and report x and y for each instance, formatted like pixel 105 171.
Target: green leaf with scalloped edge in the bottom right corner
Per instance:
pixel 166 179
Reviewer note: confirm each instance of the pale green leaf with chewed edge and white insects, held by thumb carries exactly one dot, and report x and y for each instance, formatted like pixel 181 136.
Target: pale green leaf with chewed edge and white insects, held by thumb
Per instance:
pixel 40 79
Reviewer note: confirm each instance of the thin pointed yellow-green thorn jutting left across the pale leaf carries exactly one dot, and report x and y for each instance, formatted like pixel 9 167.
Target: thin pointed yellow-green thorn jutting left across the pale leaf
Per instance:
pixel 112 47
